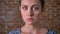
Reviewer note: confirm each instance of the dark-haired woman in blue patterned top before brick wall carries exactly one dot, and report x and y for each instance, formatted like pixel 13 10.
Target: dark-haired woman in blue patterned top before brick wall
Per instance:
pixel 31 10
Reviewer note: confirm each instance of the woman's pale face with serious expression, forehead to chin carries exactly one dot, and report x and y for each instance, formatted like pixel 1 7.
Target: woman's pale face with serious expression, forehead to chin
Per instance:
pixel 30 10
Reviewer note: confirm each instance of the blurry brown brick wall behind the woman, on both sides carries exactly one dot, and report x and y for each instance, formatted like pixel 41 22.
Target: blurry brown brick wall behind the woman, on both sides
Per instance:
pixel 10 15
